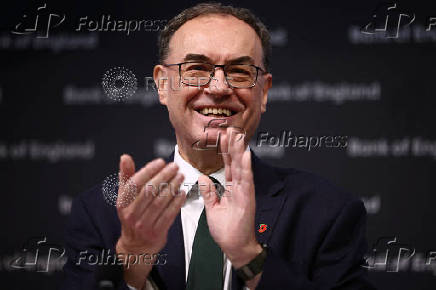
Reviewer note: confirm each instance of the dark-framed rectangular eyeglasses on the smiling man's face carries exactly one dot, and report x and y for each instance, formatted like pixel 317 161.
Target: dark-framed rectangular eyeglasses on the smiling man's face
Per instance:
pixel 200 73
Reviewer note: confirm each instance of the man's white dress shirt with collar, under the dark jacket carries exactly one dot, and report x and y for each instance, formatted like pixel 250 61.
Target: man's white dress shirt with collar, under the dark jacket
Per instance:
pixel 190 214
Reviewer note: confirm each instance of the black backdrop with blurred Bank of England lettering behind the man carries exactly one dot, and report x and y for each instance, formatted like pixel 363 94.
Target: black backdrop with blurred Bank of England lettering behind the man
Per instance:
pixel 60 134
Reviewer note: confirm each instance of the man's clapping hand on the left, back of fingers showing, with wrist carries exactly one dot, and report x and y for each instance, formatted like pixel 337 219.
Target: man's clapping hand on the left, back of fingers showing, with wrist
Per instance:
pixel 155 203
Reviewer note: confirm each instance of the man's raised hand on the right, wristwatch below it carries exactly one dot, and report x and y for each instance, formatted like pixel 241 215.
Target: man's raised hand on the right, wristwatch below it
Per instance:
pixel 231 218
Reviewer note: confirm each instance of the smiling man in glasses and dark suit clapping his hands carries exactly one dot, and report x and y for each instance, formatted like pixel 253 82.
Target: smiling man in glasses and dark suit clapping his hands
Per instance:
pixel 243 223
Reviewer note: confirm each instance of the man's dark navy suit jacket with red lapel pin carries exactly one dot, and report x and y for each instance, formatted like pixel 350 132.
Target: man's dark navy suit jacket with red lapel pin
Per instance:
pixel 315 233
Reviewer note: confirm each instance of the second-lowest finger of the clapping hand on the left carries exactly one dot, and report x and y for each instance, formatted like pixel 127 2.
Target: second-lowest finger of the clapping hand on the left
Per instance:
pixel 161 201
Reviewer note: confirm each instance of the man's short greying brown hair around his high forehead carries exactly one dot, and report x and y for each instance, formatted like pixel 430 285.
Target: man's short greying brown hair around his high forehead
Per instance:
pixel 214 8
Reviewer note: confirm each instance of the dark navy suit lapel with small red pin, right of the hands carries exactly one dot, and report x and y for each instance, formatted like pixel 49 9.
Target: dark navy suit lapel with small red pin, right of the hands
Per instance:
pixel 269 202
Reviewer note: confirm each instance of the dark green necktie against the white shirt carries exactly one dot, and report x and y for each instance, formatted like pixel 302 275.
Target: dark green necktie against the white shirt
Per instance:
pixel 207 260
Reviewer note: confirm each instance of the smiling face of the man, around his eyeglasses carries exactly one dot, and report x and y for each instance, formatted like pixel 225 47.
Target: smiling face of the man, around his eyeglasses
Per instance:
pixel 216 39
